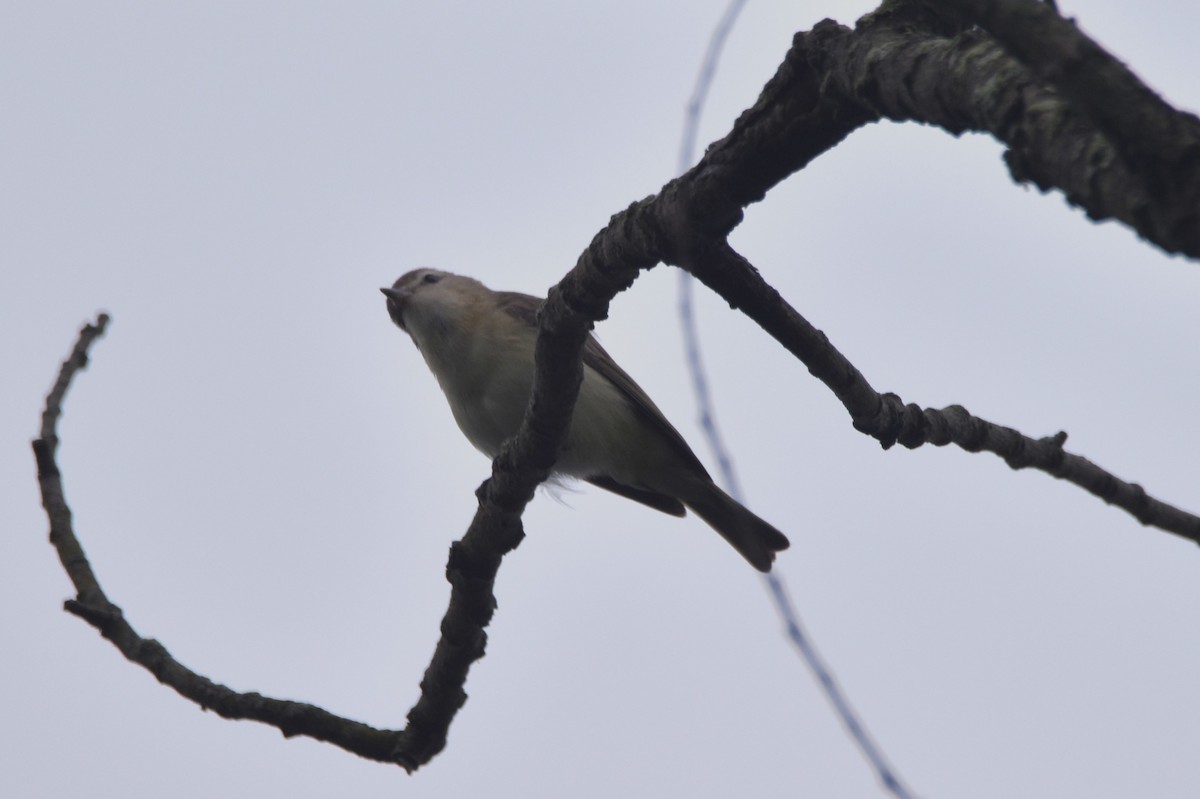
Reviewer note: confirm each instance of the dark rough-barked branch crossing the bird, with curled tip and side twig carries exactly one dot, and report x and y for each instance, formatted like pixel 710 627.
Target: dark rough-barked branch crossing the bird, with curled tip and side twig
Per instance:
pixel 895 65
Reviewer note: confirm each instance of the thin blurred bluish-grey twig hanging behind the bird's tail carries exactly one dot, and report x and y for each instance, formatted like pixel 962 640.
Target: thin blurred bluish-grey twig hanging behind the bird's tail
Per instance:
pixel 784 605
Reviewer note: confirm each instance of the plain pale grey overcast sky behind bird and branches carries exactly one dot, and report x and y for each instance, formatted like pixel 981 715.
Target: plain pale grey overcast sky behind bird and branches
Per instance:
pixel 268 480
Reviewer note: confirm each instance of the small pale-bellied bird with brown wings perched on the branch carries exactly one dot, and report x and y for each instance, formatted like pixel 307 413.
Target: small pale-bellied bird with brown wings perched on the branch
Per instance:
pixel 479 345
